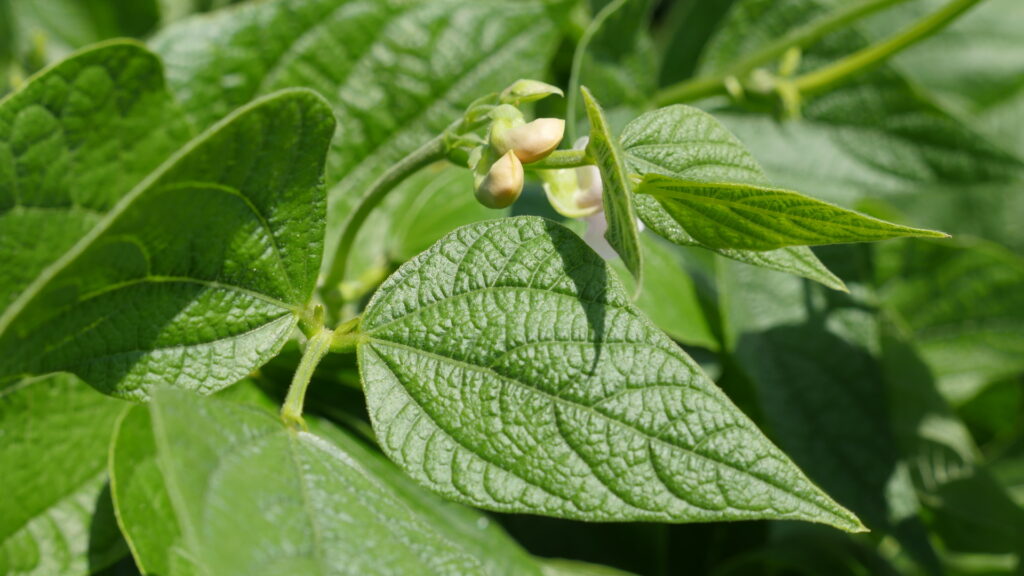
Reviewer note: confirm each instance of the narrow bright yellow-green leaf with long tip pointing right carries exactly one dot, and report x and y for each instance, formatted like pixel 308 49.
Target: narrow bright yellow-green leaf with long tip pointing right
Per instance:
pixel 746 217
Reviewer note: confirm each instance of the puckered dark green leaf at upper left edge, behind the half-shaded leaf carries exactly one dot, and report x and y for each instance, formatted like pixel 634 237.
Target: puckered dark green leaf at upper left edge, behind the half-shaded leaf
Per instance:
pixel 73 143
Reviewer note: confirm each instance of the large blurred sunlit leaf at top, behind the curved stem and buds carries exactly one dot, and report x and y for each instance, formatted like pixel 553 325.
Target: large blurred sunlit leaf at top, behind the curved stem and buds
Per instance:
pixel 396 73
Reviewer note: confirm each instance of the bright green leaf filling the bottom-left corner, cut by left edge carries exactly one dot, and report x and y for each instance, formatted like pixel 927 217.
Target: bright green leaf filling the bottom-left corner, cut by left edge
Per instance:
pixel 56 515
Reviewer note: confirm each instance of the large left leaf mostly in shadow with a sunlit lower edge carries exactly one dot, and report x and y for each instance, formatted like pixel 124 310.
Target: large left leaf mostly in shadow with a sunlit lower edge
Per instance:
pixel 198 275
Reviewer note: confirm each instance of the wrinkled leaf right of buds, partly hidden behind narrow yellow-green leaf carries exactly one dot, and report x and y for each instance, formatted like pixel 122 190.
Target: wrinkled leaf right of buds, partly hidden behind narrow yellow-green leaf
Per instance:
pixel 685 143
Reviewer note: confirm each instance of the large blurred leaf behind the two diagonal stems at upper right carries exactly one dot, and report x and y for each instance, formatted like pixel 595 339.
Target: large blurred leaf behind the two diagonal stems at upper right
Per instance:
pixel 873 137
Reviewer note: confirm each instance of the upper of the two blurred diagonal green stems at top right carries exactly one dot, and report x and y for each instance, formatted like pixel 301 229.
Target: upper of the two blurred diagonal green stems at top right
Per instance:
pixel 800 37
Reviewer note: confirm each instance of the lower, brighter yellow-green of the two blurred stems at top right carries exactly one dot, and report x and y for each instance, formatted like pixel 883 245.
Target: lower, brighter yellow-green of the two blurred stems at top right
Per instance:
pixel 823 79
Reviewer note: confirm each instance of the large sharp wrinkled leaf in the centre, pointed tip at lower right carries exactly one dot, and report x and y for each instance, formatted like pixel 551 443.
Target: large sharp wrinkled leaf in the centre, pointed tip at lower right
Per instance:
pixel 507 369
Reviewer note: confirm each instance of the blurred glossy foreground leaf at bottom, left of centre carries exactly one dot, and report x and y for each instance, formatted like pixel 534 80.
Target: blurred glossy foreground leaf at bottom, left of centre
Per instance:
pixel 194 497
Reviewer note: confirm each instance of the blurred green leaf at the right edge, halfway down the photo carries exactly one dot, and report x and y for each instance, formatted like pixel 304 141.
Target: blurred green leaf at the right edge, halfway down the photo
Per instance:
pixel 964 305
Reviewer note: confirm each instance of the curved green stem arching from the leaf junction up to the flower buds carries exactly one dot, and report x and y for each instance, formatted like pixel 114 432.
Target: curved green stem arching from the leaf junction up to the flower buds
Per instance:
pixel 430 153
